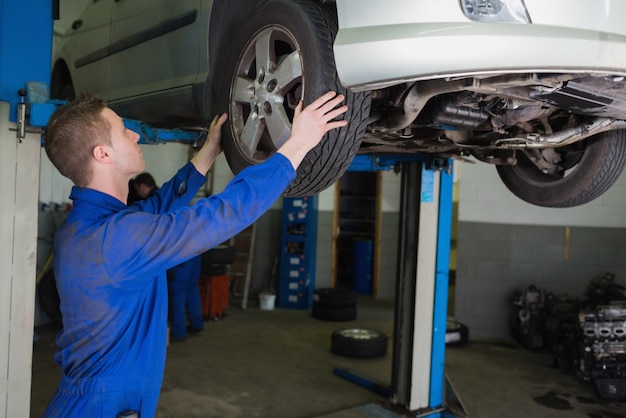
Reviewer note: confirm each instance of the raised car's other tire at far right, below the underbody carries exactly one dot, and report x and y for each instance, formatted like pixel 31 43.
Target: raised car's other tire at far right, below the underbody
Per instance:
pixel 595 164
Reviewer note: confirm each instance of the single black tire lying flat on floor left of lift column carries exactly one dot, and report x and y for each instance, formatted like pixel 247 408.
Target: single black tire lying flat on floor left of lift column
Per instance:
pixel 358 343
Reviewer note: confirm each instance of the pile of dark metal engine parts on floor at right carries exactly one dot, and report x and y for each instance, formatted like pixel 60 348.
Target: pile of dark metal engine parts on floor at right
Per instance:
pixel 587 337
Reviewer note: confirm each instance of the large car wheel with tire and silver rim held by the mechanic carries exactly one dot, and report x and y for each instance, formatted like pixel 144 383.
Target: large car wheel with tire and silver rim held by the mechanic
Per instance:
pixel 299 36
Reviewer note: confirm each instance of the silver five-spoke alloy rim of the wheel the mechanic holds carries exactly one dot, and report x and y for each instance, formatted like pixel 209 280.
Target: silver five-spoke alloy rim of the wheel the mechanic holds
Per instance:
pixel 265 90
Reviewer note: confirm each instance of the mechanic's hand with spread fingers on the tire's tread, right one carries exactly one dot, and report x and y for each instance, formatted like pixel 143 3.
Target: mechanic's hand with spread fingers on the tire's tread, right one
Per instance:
pixel 310 124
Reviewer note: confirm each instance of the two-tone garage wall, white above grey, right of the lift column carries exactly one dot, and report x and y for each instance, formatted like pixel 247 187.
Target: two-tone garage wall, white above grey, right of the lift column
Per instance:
pixel 506 245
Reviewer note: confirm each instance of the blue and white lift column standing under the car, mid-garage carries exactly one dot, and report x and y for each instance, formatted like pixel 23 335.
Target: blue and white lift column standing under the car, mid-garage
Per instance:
pixel 418 377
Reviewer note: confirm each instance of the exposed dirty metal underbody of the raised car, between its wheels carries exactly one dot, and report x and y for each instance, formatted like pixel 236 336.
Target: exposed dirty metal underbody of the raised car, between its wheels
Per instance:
pixel 495 112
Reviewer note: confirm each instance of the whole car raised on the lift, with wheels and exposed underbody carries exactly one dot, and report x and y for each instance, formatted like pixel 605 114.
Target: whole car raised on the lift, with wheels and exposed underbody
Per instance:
pixel 534 87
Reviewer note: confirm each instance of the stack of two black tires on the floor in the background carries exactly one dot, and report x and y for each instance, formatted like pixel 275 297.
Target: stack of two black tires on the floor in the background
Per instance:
pixel 334 305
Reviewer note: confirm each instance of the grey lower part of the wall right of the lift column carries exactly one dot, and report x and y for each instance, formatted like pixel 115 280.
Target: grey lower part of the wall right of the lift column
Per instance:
pixel 495 260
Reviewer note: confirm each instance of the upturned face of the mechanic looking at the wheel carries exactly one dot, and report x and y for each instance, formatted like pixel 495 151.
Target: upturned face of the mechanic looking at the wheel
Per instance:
pixel 127 155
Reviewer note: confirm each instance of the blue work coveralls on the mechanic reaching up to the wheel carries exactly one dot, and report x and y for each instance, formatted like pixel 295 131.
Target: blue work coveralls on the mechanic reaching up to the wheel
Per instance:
pixel 110 265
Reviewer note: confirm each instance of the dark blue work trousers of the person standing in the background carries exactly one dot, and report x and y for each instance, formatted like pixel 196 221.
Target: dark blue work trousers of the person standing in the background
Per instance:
pixel 185 298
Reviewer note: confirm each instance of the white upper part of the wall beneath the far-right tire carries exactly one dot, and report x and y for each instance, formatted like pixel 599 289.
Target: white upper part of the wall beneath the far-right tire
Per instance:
pixel 483 198
